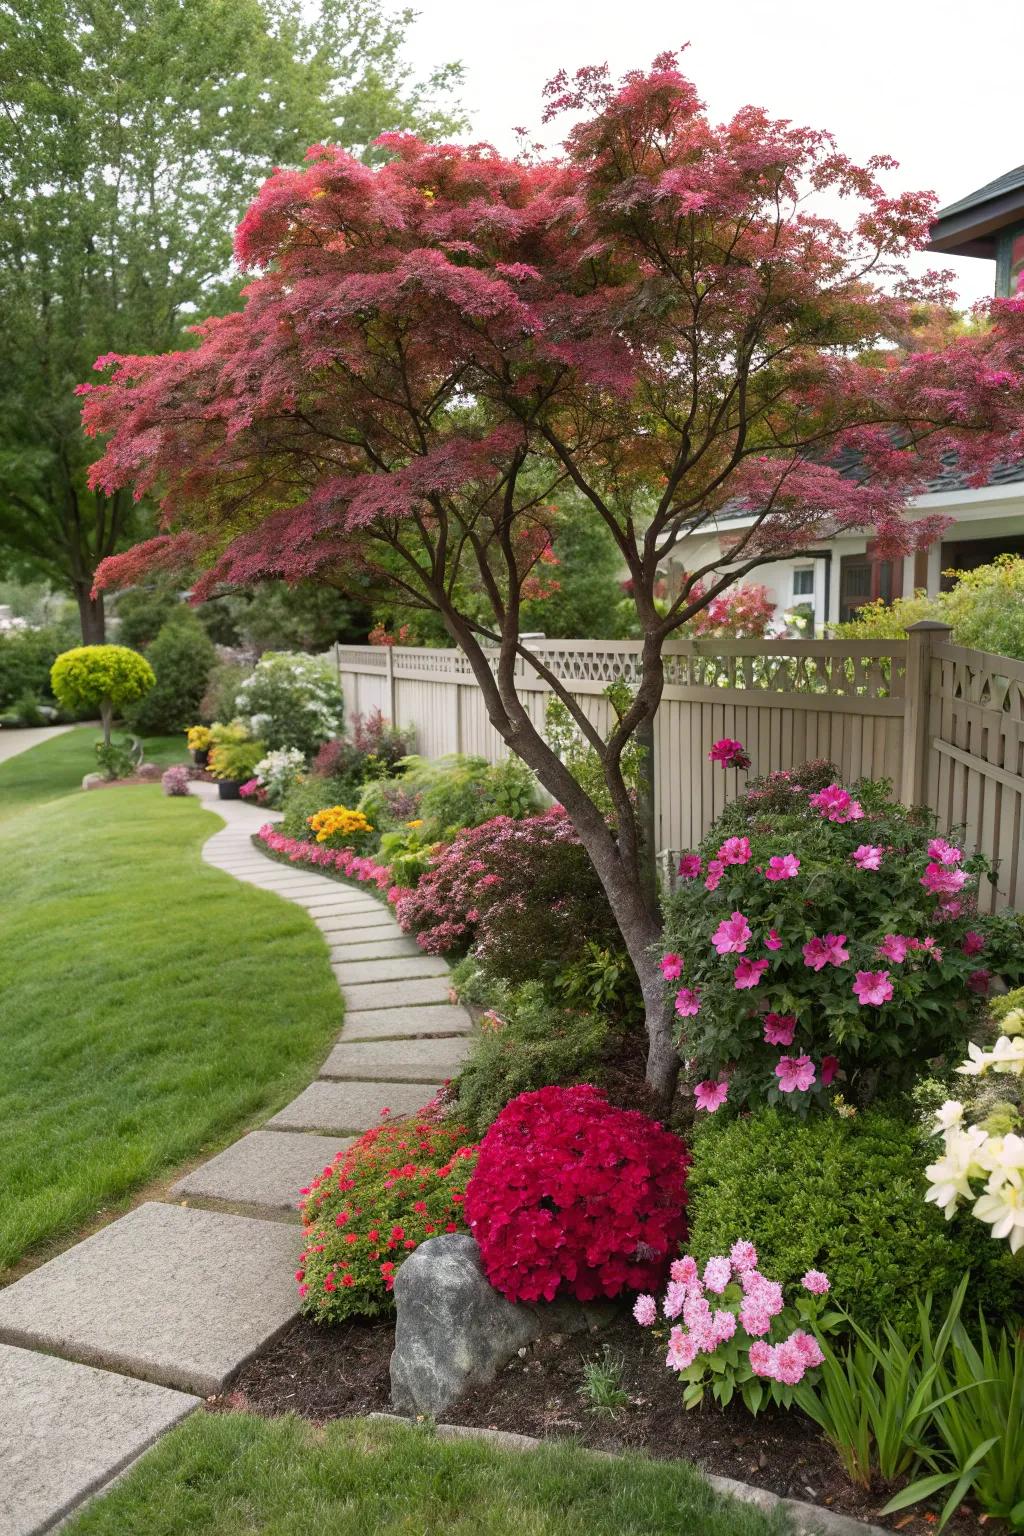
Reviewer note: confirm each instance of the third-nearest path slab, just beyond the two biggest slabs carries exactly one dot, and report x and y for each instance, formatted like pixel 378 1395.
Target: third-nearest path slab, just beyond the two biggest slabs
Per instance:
pixel 266 1168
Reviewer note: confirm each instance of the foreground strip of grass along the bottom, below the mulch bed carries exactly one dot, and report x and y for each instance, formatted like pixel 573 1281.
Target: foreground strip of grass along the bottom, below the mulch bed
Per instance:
pixel 237 1475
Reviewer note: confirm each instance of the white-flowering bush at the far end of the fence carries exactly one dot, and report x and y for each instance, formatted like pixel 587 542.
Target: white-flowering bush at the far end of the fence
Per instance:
pixel 292 700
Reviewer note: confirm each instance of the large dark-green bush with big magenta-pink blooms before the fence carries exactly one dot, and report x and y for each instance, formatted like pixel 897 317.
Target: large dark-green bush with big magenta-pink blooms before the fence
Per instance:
pixel 825 939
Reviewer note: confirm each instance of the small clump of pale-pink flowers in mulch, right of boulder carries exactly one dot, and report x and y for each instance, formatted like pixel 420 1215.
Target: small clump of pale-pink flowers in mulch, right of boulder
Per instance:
pixel 732 1329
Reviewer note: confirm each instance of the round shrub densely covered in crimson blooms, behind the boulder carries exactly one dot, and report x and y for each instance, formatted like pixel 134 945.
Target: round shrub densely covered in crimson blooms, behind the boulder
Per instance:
pixel 575 1196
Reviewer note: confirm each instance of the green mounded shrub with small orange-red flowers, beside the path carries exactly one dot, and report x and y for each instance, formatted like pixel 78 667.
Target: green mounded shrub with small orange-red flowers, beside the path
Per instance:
pixel 397 1187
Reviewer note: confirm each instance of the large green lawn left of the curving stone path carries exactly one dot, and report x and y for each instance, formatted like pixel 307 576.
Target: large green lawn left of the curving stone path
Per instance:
pixel 150 1005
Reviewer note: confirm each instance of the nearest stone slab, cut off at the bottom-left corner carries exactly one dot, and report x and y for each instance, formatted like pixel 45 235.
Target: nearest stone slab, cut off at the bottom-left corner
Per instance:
pixel 65 1431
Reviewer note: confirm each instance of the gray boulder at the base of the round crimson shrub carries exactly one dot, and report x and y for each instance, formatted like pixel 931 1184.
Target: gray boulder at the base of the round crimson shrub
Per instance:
pixel 455 1332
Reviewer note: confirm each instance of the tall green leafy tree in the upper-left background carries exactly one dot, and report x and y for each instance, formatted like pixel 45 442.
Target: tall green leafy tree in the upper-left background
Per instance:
pixel 133 134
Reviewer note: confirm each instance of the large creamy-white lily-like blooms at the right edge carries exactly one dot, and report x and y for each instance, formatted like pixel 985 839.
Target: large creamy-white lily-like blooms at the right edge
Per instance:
pixel 985 1164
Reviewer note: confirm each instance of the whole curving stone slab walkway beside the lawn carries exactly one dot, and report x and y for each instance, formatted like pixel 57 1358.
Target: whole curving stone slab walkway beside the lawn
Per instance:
pixel 173 1299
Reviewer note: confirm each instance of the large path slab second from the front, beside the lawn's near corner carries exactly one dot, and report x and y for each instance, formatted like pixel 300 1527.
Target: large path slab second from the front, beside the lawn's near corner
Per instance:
pixel 174 1296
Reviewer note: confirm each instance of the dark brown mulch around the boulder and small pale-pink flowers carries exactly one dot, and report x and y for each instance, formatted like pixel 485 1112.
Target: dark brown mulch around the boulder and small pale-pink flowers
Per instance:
pixel 326 1374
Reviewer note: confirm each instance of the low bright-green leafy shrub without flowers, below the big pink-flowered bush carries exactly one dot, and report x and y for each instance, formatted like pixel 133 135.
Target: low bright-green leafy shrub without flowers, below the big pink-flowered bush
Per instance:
pixel 845 1196
